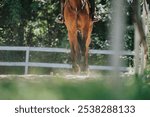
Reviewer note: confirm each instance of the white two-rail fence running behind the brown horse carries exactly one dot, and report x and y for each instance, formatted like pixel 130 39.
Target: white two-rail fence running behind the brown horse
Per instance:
pixel 28 64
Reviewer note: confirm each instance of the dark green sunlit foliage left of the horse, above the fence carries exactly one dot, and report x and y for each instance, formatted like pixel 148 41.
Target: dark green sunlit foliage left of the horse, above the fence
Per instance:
pixel 30 23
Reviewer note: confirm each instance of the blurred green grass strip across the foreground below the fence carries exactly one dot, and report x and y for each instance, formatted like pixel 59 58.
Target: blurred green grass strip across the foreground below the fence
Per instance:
pixel 58 87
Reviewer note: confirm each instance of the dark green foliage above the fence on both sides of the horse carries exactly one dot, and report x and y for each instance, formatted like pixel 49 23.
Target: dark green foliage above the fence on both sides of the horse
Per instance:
pixel 31 23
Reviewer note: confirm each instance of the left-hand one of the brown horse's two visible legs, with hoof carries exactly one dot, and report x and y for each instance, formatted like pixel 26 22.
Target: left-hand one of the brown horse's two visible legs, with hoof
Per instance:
pixel 75 52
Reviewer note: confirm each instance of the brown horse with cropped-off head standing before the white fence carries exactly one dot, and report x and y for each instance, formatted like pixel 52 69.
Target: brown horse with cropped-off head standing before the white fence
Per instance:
pixel 79 25
